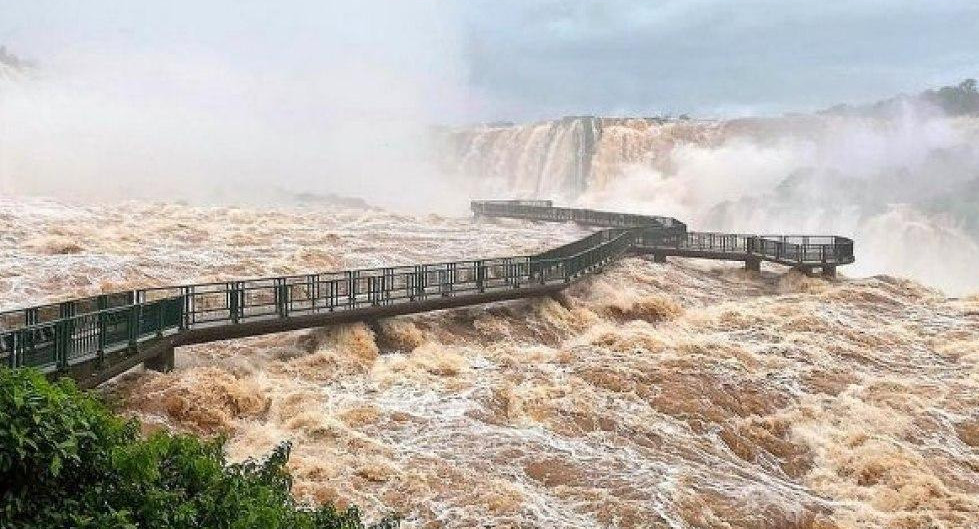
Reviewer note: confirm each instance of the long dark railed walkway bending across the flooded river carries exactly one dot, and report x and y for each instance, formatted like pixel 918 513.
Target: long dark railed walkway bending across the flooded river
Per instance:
pixel 94 339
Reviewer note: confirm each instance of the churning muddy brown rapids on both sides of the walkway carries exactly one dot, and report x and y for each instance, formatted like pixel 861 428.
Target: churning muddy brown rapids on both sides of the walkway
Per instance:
pixel 690 394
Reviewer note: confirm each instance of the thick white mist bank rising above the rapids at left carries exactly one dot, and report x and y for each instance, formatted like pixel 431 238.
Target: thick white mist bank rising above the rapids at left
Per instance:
pixel 231 102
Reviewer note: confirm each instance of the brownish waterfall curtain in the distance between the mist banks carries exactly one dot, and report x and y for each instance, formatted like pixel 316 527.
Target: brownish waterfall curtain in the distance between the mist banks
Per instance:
pixel 564 158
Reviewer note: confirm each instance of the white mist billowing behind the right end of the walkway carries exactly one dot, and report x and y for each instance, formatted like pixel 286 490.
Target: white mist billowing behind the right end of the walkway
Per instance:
pixel 902 186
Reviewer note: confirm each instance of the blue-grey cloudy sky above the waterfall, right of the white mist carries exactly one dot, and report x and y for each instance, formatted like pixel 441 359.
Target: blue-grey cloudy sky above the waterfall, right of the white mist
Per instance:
pixel 547 58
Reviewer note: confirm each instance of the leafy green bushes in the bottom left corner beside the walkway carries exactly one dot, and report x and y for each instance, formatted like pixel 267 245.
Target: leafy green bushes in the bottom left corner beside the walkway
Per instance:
pixel 66 461
